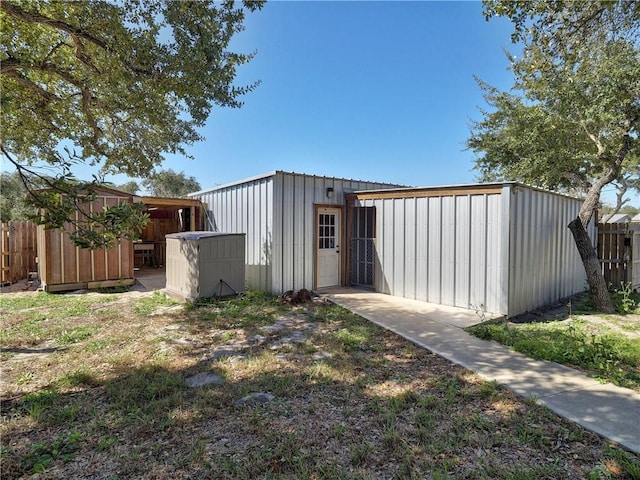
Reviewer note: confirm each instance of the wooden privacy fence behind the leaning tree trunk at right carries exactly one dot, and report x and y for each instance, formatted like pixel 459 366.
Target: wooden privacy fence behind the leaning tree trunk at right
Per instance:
pixel 619 252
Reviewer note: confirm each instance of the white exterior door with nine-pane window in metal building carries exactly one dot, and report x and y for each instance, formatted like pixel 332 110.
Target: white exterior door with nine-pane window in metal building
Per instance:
pixel 328 242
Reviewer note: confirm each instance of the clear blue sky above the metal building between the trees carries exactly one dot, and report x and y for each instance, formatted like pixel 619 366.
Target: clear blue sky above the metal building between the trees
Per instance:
pixel 378 91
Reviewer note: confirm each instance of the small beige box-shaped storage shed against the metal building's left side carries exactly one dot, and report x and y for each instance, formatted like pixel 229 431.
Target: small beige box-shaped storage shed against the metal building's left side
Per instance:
pixel 205 264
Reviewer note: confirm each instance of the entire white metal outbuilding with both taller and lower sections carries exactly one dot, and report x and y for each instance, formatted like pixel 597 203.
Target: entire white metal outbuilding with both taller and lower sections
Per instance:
pixel 503 247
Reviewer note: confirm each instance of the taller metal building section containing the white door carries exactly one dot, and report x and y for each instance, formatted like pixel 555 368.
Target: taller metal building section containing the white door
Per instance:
pixel 279 212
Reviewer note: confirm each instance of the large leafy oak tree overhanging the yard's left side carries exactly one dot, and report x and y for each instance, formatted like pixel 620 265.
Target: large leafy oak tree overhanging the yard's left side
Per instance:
pixel 117 85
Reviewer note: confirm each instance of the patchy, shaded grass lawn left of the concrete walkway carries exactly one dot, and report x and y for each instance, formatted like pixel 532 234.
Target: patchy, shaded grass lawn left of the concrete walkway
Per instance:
pixel 97 386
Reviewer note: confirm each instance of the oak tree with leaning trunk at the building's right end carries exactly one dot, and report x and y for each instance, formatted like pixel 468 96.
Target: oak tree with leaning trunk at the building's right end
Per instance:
pixel 571 121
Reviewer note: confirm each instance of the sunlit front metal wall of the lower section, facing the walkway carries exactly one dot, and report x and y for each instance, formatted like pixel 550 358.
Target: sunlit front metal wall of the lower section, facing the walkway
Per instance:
pixel 438 248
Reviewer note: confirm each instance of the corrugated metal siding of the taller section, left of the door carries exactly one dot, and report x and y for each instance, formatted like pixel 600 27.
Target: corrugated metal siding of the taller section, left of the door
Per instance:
pixel 277 213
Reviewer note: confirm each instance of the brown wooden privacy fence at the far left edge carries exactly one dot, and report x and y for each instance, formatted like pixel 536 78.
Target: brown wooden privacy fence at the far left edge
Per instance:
pixel 19 250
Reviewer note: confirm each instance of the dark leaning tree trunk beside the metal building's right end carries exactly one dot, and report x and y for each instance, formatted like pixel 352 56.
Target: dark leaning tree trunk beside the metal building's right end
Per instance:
pixel 597 285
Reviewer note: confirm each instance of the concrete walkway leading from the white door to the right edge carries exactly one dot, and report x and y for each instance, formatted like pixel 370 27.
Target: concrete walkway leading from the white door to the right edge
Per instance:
pixel 610 411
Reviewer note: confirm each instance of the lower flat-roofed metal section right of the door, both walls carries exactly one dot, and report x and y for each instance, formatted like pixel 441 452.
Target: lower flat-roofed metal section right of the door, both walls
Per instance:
pixel 505 251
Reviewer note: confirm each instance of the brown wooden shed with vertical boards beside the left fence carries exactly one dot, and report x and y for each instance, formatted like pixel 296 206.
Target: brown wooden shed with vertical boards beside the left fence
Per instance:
pixel 64 266
